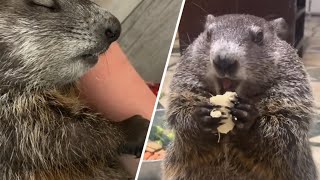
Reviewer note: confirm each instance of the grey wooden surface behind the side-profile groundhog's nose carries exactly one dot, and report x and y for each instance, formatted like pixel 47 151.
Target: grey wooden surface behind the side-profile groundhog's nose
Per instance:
pixel 147 32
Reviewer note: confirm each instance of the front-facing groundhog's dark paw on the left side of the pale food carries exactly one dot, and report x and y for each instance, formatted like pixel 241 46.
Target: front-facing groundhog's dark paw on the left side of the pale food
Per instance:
pixel 207 124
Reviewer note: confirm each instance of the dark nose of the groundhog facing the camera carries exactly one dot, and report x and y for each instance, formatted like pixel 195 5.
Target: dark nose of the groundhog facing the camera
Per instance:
pixel 225 65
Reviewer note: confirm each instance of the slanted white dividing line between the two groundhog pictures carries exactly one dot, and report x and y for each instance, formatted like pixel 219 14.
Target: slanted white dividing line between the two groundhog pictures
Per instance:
pixel 160 88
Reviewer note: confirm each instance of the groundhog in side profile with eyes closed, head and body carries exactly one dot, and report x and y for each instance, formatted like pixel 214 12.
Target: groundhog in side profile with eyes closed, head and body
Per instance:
pixel 46 131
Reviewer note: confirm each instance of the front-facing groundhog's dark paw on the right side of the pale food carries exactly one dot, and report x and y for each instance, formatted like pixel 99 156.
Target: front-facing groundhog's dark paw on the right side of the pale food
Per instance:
pixel 244 114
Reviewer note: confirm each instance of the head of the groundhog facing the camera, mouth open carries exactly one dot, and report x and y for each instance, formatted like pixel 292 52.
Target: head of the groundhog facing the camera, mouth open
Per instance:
pixel 242 50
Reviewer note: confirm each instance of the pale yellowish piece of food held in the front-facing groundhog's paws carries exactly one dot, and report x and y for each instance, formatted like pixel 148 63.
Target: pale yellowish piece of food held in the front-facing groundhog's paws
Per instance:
pixel 224 101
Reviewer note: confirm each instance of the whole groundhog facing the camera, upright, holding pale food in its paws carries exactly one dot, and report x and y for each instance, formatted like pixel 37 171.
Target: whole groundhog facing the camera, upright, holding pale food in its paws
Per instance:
pixel 243 54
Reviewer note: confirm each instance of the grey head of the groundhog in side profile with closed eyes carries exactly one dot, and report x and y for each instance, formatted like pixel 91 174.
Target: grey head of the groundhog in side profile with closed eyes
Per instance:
pixel 46 42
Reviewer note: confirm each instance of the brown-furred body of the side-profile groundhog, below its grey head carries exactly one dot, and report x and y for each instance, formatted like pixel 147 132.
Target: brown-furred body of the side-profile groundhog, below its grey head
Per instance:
pixel 57 137
